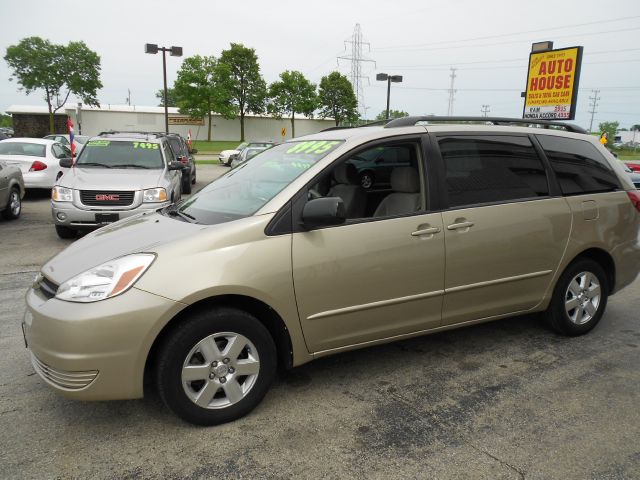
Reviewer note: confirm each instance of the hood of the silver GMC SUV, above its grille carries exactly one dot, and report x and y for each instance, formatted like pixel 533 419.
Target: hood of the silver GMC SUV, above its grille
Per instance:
pixel 95 178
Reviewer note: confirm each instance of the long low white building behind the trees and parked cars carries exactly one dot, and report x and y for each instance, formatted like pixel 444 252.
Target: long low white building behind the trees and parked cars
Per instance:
pixel 93 120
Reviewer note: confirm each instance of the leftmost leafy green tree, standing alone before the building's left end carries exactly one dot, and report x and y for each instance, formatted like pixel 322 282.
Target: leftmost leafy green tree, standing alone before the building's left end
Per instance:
pixel 57 69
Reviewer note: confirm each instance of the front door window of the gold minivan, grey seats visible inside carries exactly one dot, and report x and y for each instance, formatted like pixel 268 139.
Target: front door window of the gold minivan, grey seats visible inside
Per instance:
pixel 380 181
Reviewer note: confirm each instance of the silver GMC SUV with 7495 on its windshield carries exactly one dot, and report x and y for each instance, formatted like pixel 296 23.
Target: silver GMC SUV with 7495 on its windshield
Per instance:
pixel 117 175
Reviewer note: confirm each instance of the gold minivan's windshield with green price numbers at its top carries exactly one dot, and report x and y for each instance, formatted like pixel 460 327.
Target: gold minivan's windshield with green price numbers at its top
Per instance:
pixel 247 188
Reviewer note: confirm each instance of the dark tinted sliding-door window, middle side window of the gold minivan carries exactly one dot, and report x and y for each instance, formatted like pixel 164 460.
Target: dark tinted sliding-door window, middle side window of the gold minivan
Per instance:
pixel 489 169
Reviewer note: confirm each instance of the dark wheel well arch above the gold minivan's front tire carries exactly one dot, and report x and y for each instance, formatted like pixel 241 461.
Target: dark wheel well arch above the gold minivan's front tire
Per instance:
pixel 260 310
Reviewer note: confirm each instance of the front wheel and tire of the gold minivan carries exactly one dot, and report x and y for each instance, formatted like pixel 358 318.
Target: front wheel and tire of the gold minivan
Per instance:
pixel 216 366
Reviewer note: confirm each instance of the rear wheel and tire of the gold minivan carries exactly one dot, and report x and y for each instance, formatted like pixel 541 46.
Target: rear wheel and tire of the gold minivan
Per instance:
pixel 579 299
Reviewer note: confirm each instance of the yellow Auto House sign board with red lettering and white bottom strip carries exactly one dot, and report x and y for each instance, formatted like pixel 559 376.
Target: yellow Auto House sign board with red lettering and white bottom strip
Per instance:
pixel 552 84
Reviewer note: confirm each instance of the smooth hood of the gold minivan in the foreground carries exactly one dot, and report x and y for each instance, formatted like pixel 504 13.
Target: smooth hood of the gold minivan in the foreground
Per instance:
pixel 140 233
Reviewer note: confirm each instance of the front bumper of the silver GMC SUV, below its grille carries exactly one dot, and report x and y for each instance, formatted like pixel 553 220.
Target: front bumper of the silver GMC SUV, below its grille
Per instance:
pixel 68 215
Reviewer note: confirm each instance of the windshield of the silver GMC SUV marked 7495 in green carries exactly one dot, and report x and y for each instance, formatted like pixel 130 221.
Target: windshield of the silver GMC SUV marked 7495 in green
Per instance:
pixel 120 154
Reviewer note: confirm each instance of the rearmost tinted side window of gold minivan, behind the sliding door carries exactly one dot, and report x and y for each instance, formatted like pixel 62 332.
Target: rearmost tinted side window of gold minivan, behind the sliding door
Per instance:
pixel 579 166
